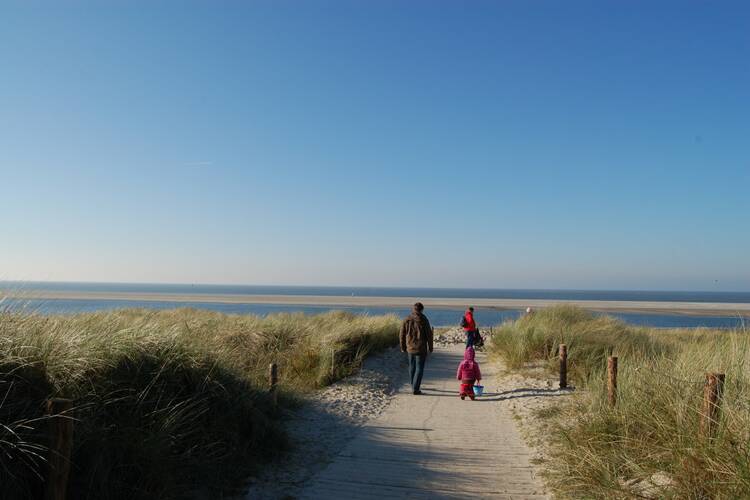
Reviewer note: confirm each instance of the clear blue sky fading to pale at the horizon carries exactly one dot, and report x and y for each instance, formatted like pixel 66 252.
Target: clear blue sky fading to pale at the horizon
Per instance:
pixel 533 144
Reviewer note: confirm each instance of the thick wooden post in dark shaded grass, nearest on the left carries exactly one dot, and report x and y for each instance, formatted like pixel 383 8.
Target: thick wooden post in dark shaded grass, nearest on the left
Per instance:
pixel 61 448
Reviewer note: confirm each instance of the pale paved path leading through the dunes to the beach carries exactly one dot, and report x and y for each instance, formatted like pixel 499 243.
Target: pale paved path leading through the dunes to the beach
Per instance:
pixel 434 446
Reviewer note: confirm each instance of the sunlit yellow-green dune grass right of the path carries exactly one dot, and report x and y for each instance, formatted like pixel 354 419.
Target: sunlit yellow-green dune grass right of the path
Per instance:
pixel 649 446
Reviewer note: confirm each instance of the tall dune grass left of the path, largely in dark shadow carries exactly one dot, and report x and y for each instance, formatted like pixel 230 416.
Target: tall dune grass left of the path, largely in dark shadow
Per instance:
pixel 167 403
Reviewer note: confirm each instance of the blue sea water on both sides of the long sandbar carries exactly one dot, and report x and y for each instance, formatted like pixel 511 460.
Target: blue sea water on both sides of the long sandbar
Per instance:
pixel 438 316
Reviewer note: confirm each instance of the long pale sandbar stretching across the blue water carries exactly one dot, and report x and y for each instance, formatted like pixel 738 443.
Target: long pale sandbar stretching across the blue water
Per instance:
pixel 684 308
